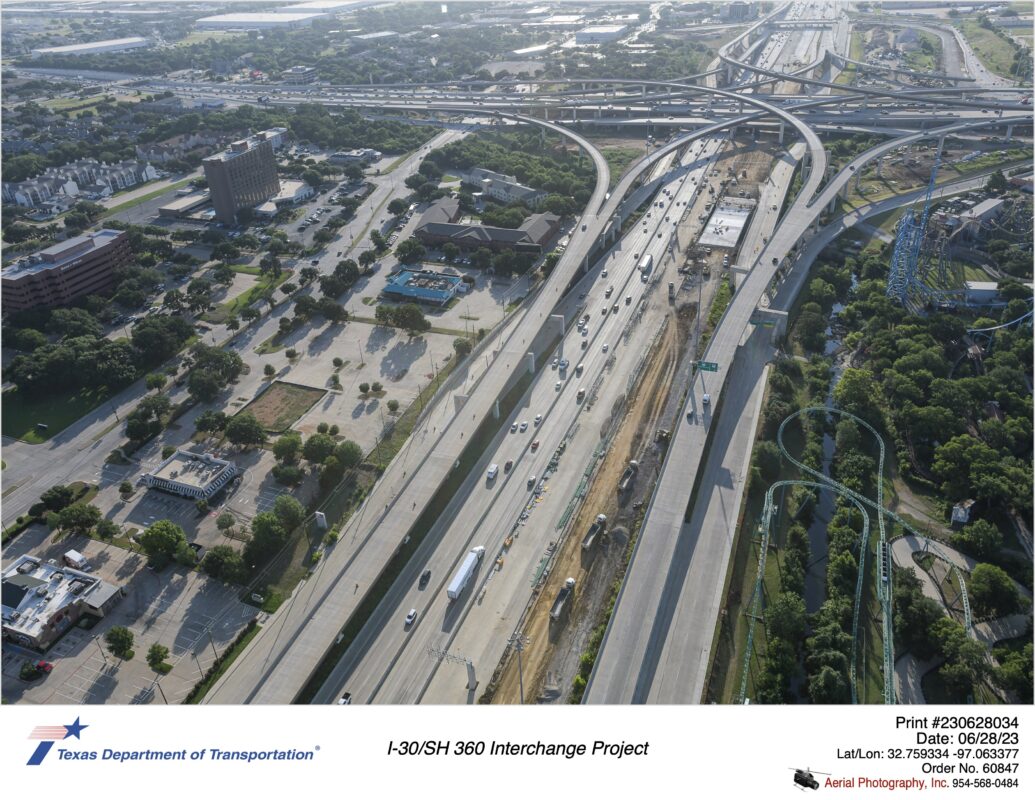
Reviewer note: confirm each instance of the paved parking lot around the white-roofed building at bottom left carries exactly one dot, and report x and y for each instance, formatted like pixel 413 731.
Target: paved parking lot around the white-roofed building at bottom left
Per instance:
pixel 192 615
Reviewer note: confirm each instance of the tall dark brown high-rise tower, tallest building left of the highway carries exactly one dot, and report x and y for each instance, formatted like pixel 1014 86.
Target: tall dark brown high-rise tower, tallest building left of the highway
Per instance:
pixel 243 176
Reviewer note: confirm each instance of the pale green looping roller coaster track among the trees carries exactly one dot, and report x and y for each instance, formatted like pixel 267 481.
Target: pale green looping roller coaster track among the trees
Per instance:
pixel 884 573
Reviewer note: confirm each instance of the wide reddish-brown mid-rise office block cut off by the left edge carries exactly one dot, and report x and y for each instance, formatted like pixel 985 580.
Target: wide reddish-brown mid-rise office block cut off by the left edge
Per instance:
pixel 61 274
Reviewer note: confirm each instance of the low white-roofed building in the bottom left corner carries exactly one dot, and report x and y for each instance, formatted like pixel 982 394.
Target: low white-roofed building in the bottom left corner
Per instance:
pixel 40 601
